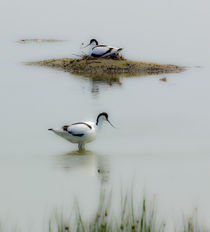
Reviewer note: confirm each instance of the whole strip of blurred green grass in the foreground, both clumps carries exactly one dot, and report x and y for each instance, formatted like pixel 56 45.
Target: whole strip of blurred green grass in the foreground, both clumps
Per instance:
pixel 132 217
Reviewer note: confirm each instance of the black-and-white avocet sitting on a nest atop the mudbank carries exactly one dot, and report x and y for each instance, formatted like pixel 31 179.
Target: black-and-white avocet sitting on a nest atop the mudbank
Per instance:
pixel 97 50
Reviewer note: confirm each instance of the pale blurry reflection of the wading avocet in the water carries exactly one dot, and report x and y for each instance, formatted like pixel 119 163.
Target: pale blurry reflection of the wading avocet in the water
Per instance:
pixel 87 162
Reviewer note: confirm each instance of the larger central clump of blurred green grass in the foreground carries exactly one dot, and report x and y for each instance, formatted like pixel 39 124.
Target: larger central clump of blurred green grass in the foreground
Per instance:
pixel 132 219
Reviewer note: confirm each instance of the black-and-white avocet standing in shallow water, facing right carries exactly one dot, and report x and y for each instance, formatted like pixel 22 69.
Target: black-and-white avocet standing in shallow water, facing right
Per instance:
pixel 82 132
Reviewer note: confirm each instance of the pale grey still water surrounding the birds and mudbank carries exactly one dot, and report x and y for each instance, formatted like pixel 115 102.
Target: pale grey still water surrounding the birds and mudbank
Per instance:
pixel 162 140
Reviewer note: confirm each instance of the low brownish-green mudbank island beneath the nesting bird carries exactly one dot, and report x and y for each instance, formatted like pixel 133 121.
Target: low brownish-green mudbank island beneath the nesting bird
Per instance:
pixel 118 66
